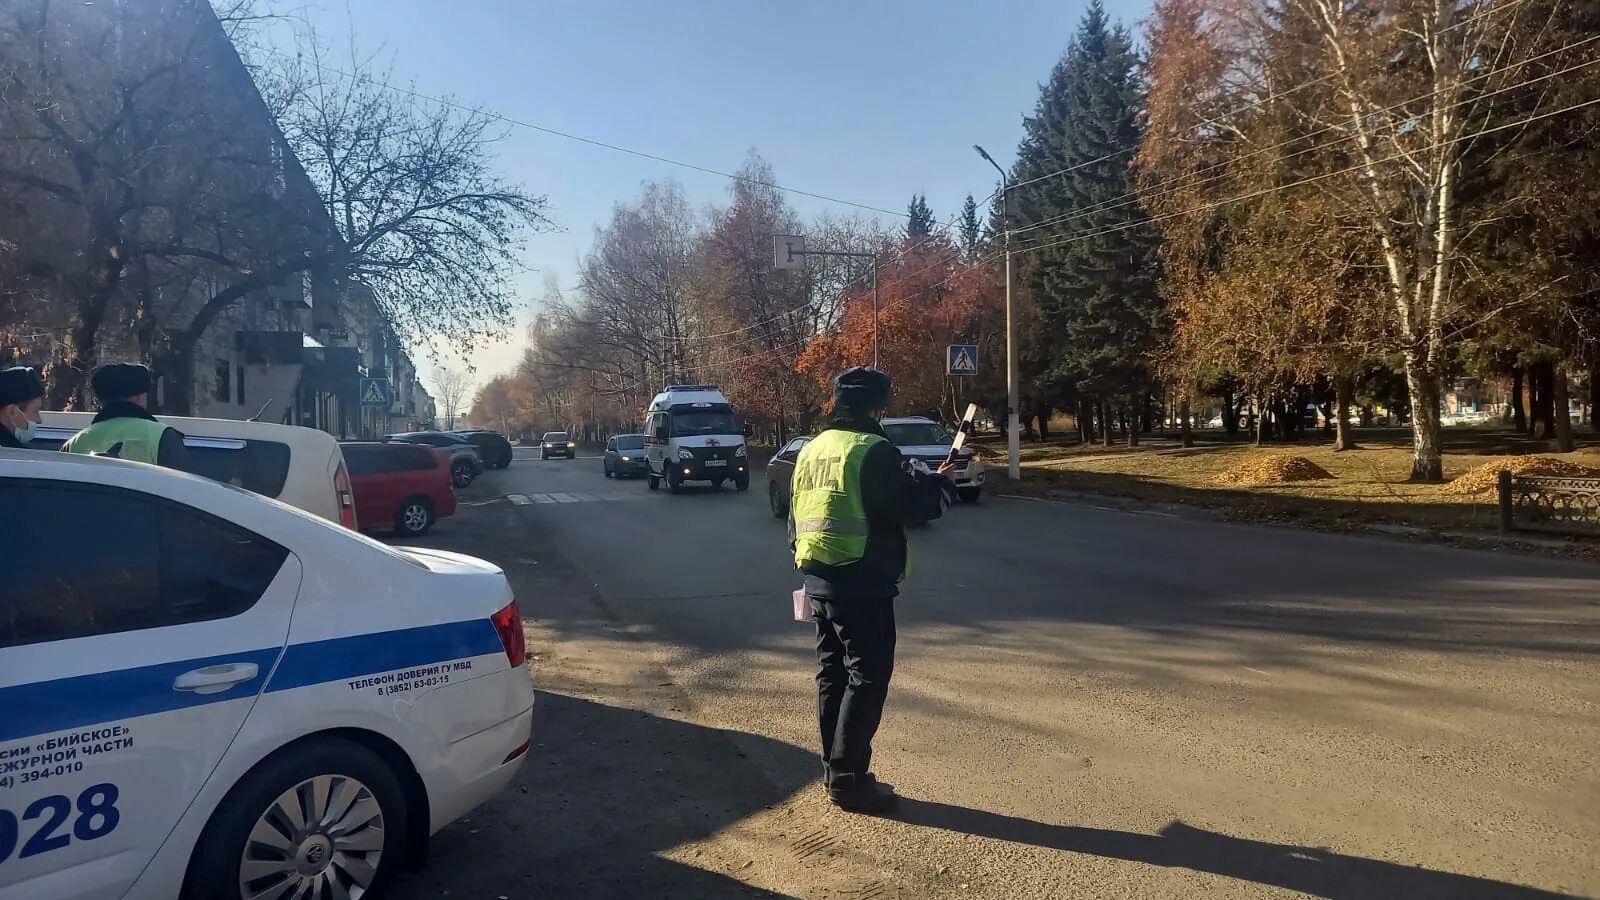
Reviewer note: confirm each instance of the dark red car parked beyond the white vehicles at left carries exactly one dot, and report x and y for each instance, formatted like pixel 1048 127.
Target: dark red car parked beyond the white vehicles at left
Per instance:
pixel 402 484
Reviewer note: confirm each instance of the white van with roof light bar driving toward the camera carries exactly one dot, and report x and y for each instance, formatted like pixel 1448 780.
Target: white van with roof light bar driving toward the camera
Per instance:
pixel 690 435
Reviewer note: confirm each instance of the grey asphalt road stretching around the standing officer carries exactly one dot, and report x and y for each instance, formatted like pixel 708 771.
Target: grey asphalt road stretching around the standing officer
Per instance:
pixel 1087 704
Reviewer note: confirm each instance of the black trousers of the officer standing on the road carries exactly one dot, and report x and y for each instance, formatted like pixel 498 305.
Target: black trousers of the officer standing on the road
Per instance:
pixel 855 654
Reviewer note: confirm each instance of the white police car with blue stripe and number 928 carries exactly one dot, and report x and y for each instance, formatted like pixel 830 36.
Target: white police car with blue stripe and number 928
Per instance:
pixel 209 694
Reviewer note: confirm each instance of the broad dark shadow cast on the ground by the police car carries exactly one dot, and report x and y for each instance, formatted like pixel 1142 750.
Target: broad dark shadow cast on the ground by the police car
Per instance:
pixel 602 795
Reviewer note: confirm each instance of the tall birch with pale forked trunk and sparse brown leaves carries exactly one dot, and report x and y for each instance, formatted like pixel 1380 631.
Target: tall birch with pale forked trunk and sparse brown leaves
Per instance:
pixel 1415 87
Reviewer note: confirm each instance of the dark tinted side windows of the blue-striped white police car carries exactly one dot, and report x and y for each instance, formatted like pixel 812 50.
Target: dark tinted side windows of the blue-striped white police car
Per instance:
pixel 100 561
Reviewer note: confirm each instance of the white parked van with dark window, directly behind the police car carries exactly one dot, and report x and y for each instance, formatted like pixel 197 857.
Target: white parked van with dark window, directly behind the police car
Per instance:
pixel 300 467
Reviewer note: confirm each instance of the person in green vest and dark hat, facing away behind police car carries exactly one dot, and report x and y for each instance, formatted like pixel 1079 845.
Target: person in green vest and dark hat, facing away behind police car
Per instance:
pixel 124 428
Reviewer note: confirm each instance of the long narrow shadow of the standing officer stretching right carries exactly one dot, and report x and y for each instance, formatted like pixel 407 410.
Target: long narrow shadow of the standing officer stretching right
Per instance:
pixel 1319 874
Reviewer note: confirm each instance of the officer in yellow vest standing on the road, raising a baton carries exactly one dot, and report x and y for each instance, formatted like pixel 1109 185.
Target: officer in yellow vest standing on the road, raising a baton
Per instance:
pixel 854 497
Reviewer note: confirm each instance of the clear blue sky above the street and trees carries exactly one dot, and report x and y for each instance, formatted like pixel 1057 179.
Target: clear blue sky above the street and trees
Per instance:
pixel 862 100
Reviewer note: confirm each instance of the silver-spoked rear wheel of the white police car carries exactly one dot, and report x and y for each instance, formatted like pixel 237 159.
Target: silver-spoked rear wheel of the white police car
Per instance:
pixel 327 821
